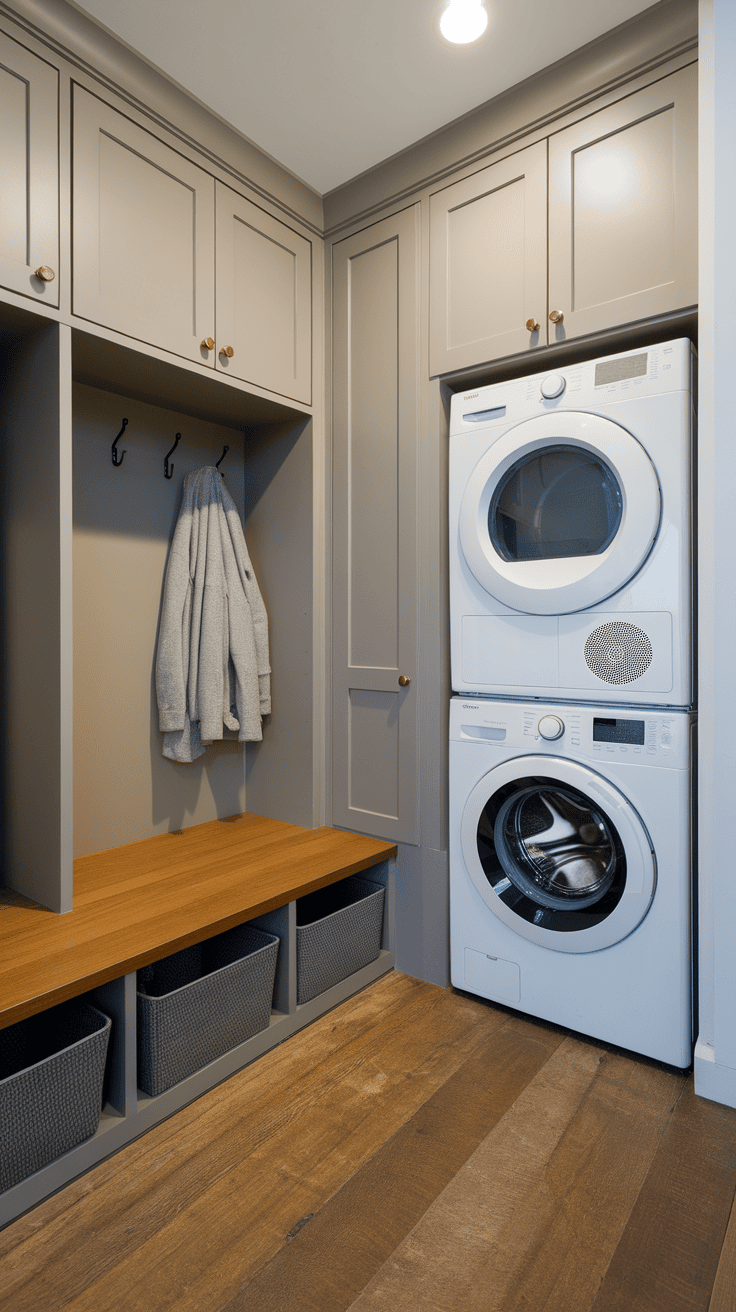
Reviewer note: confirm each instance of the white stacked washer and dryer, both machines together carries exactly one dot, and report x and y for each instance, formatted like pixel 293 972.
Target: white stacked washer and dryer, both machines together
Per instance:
pixel 571 733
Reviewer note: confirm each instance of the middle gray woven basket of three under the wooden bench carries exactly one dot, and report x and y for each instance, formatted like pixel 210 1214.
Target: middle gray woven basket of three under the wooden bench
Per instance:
pixel 197 1004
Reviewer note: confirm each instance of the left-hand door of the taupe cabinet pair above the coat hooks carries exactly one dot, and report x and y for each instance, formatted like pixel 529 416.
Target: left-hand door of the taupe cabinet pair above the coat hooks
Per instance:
pixel 144 233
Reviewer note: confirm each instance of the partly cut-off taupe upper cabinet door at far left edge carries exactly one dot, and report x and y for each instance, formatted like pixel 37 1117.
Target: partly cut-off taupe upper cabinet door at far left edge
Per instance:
pixel 30 171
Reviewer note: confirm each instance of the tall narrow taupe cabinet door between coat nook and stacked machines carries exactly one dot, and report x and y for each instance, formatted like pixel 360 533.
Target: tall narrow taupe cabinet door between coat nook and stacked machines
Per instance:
pixel 376 431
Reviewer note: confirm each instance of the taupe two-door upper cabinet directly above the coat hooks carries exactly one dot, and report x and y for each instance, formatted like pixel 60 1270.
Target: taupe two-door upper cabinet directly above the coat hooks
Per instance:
pixel 150 260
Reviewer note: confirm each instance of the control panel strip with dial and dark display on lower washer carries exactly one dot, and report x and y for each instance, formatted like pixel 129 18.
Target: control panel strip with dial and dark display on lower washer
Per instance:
pixel 592 734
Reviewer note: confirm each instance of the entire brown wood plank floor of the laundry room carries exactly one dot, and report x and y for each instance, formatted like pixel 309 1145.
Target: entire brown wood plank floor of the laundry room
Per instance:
pixel 414 1151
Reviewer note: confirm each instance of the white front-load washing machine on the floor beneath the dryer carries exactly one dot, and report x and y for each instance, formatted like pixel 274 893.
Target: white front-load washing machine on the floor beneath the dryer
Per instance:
pixel 570 867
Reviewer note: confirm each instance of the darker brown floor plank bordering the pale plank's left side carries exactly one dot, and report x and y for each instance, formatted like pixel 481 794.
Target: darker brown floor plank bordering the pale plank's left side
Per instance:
pixel 334 1256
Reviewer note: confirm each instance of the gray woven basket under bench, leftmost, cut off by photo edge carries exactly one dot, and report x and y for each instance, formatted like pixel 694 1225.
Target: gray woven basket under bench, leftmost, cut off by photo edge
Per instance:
pixel 52 1071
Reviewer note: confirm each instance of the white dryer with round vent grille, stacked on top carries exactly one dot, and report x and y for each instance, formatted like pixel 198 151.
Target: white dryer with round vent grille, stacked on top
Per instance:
pixel 571 532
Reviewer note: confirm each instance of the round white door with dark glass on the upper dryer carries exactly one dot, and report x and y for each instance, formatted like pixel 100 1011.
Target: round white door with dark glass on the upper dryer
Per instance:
pixel 560 514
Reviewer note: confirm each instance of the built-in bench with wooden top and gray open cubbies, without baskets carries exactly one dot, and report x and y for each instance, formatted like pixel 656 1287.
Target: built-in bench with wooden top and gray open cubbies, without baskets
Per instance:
pixel 138 903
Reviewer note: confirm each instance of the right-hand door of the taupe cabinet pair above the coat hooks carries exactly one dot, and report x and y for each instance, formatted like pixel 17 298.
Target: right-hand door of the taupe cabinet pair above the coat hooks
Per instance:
pixel 264 298
